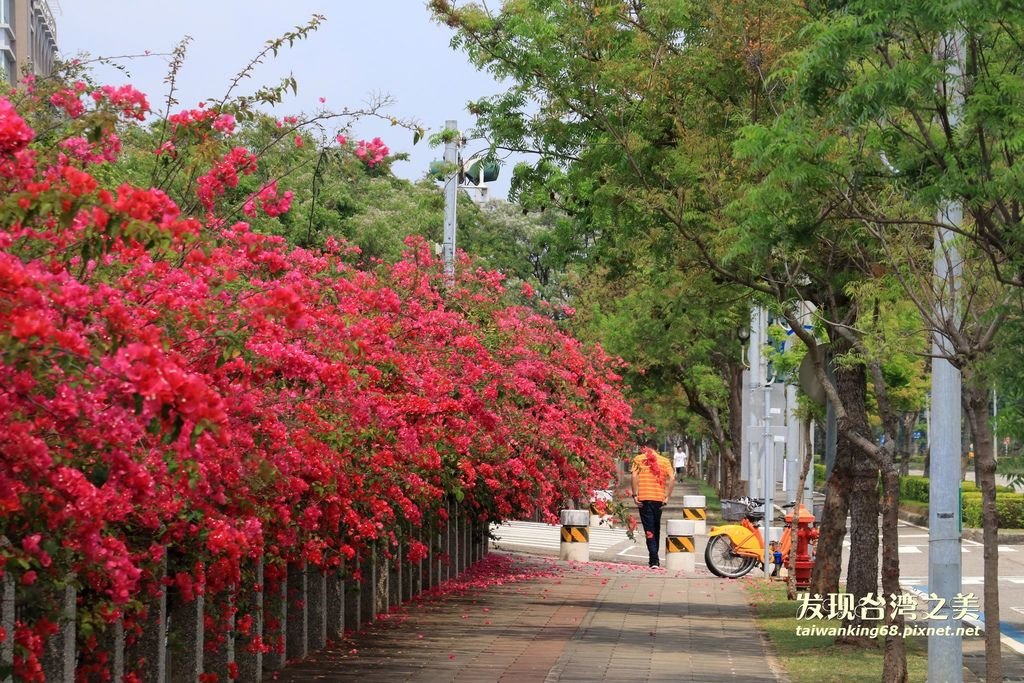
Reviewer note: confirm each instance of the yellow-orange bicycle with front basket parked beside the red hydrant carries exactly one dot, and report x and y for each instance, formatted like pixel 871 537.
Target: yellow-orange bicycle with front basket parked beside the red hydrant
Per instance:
pixel 736 549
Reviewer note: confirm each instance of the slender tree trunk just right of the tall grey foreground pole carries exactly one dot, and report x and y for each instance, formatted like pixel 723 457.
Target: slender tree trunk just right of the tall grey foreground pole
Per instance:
pixel 976 403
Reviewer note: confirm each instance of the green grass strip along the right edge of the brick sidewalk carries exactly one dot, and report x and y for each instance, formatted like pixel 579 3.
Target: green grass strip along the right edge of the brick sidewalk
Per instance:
pixel 819 659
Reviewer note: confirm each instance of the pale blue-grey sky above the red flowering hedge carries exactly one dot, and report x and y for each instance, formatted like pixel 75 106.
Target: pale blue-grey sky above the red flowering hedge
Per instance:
pixel 365 49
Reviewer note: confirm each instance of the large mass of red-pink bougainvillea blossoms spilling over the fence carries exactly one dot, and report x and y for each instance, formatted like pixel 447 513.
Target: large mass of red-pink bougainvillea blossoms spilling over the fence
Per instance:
pixel 234 397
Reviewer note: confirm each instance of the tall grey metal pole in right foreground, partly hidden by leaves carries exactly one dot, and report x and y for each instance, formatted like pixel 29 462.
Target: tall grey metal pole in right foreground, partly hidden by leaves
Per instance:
pixel 946 653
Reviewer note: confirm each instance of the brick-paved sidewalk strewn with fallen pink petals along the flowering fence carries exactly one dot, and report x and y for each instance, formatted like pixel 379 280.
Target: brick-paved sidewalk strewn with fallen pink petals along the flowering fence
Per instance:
pixel 523 619
